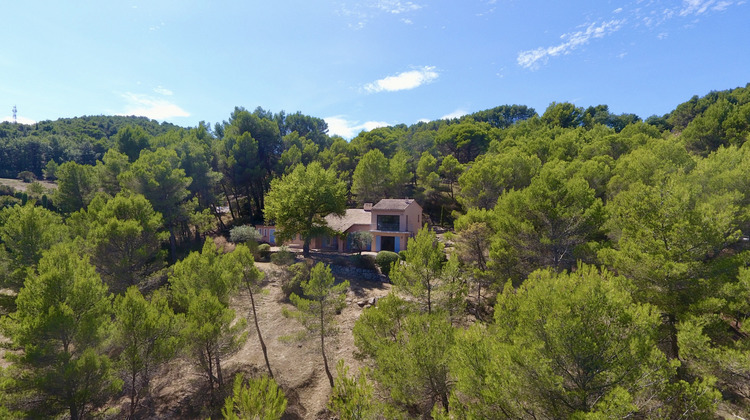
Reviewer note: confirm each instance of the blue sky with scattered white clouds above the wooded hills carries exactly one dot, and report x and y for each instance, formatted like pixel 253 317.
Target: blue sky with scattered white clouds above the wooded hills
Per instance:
pixel 365 63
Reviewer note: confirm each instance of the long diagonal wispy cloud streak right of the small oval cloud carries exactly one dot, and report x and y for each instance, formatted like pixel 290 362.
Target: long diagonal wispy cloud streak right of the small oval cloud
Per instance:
pixel 532 59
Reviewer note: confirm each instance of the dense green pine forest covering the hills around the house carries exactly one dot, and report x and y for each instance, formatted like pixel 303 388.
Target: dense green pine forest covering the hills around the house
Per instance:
pixel 574 264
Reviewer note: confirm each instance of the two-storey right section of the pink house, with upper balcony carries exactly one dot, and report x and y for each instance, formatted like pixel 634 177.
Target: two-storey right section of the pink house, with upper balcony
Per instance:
pixel 392 222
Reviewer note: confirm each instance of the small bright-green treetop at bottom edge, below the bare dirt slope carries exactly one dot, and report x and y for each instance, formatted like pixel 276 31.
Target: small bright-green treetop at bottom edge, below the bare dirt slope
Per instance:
pixel 260 399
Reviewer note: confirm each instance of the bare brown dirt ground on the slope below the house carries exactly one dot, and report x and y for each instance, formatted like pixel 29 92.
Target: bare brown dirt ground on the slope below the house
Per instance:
pixel 297 365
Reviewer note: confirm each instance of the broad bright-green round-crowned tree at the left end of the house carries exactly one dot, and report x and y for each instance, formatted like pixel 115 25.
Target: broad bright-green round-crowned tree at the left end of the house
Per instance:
pixel 297 203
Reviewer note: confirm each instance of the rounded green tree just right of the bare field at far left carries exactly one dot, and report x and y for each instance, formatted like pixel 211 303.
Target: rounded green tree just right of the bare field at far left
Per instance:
pixel 76 185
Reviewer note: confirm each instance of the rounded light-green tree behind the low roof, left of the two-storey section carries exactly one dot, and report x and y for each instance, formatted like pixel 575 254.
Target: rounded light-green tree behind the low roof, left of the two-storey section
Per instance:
pixel 371 180
